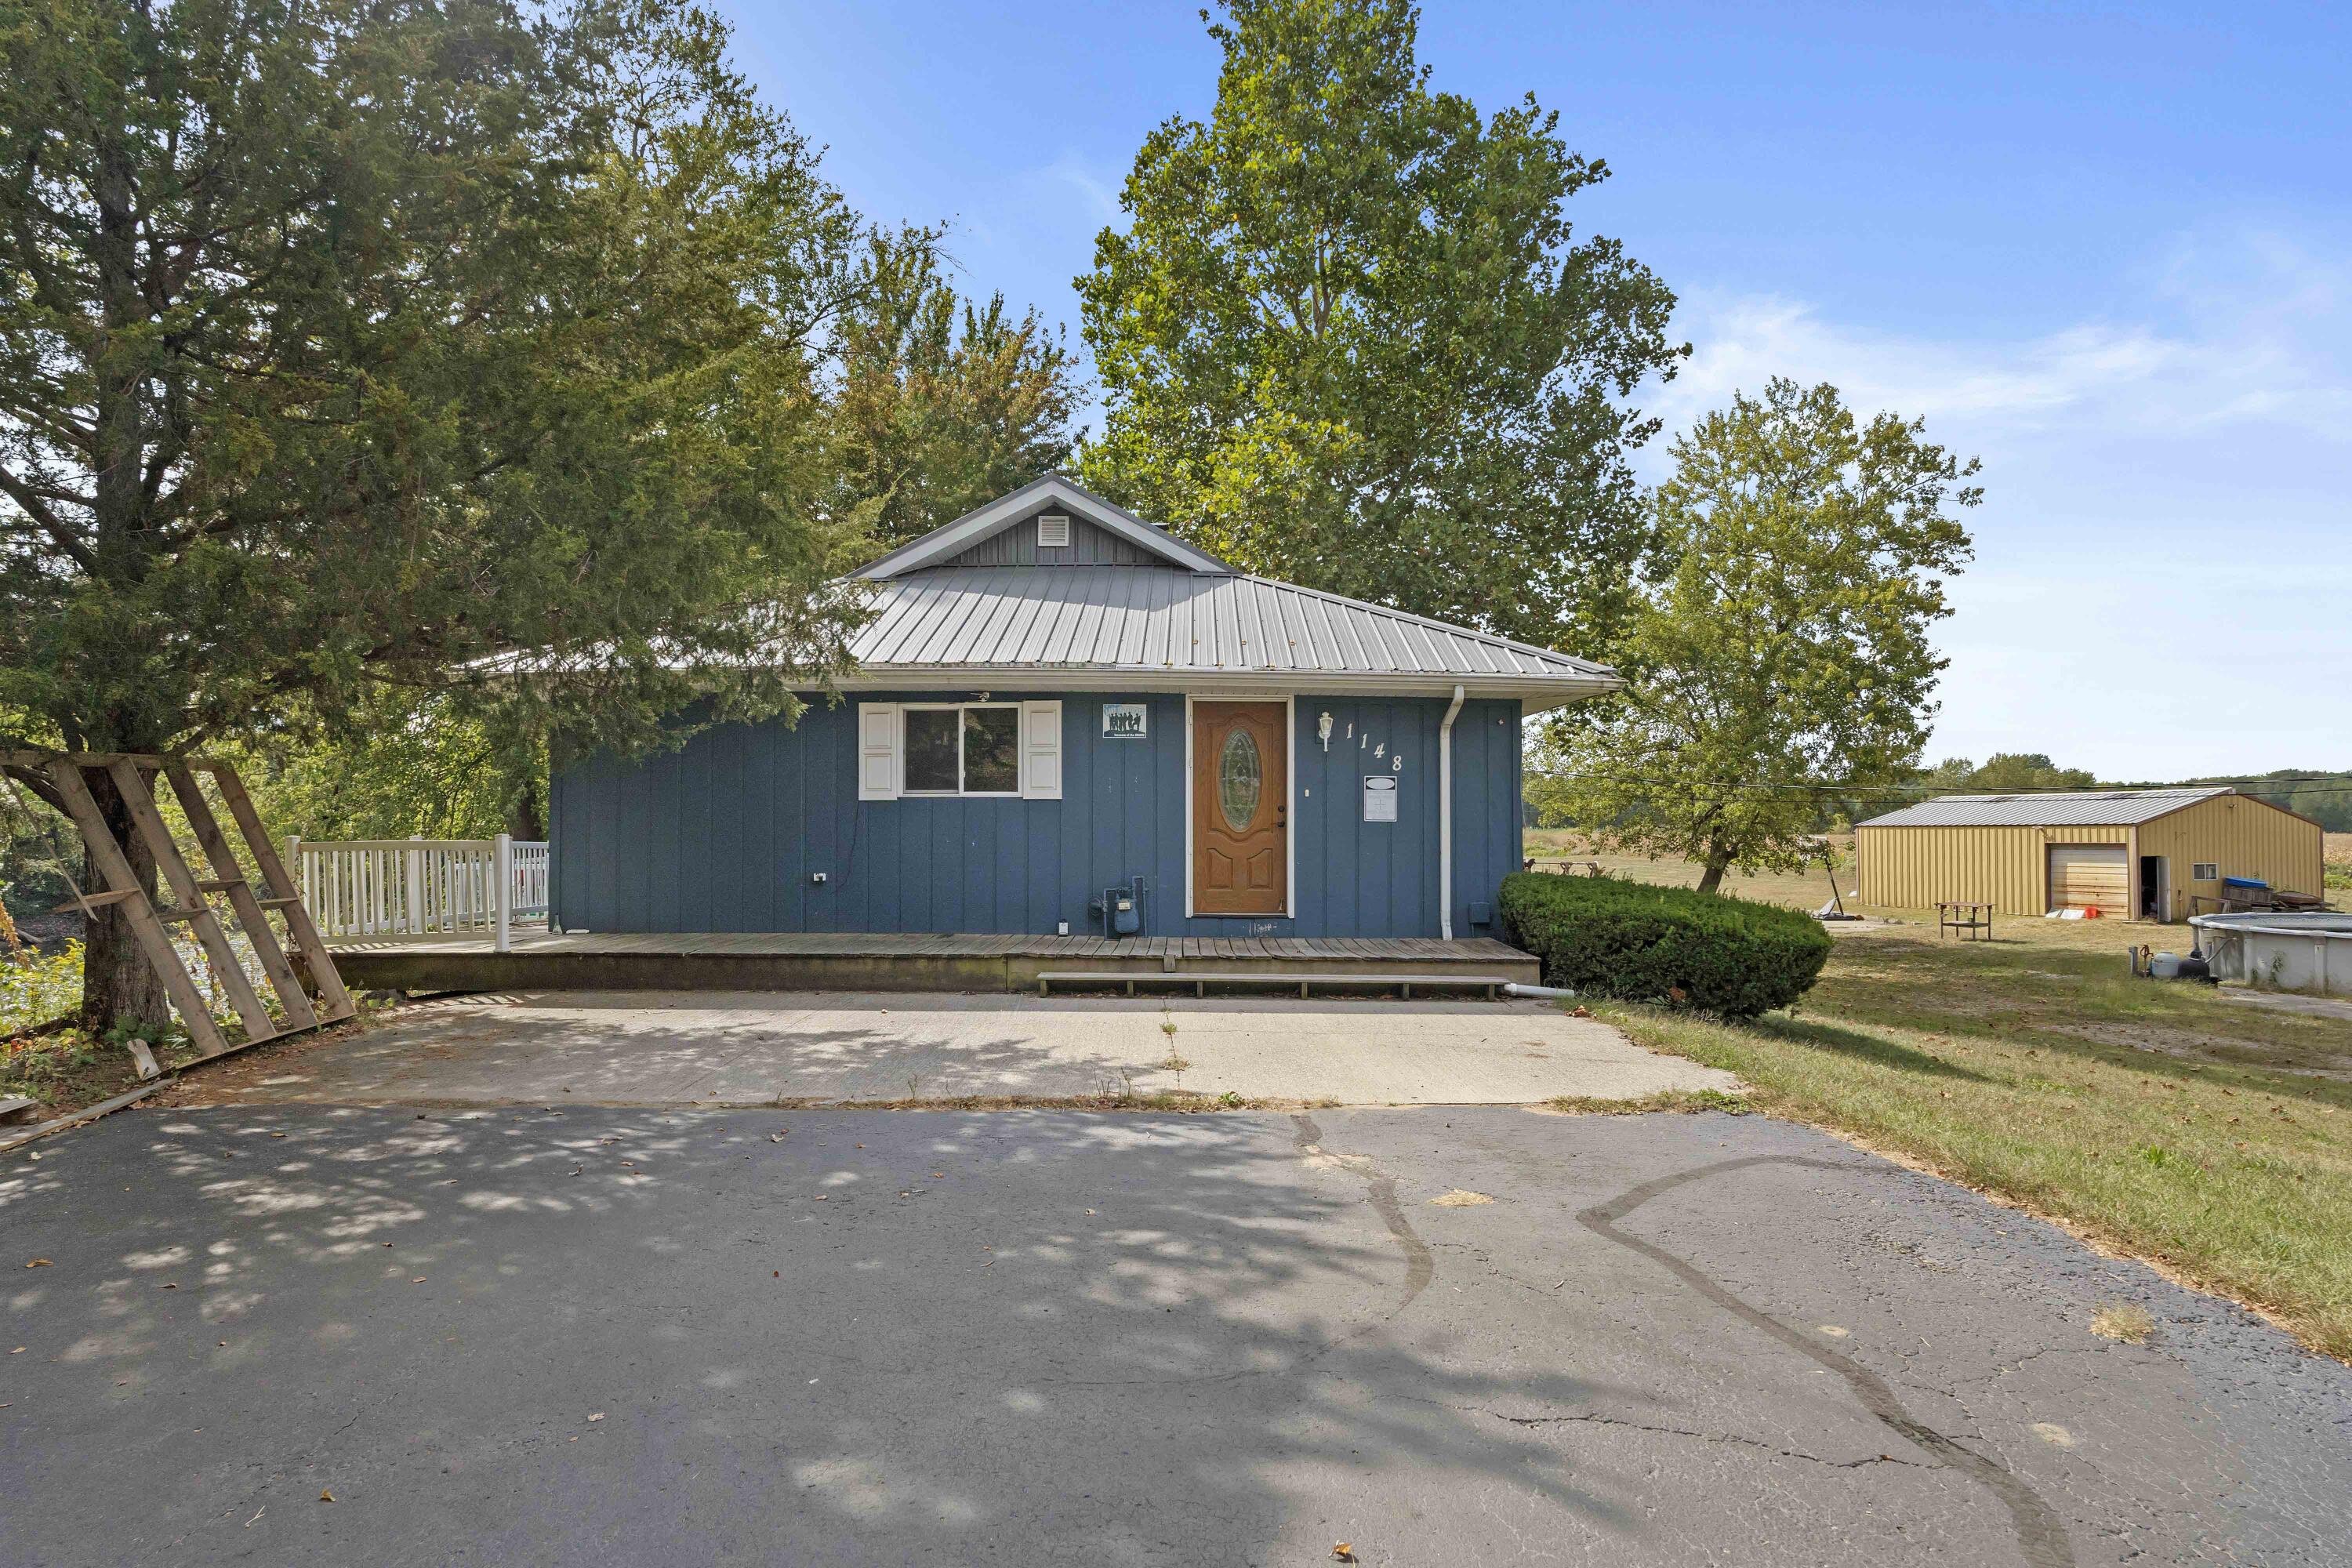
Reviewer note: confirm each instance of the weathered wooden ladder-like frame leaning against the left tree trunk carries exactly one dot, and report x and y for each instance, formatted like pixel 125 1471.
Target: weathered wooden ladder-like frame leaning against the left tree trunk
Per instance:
pixel 131 775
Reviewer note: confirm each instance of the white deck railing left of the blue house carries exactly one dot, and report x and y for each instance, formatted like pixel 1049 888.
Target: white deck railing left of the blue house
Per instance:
pixel 361 890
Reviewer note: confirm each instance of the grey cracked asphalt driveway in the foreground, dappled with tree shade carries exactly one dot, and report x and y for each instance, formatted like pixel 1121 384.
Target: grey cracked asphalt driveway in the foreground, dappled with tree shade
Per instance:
pixel 1441 1336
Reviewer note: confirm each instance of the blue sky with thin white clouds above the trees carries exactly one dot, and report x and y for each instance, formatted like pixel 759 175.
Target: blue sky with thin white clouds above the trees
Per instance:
pixel 2104 248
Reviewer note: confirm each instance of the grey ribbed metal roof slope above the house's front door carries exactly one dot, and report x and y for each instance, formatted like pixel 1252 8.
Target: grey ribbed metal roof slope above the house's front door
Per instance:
pixel 1184 626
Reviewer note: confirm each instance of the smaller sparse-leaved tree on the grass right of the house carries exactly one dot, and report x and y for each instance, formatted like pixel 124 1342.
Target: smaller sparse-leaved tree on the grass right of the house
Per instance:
pixel 1779 650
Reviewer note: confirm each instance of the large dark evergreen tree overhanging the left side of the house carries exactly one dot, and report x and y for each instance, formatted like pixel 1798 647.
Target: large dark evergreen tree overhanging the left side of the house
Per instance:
pixel 347 344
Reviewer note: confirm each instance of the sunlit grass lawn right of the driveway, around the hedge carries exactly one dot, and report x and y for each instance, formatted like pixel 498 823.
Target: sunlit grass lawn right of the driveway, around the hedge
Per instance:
pixel 2205 1134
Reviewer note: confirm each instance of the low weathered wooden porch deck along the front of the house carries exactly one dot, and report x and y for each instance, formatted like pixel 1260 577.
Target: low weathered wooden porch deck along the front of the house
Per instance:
pixel 846 960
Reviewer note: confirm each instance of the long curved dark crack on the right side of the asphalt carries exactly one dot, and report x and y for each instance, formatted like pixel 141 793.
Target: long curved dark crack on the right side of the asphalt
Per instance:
pixel 2040 1534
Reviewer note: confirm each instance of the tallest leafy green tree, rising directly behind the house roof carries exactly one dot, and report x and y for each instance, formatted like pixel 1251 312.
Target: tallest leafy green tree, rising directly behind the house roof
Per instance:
pixel 1349 337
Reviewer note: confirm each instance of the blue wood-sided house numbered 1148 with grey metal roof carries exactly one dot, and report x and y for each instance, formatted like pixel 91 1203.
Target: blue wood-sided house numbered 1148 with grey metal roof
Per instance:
pixel 1069 721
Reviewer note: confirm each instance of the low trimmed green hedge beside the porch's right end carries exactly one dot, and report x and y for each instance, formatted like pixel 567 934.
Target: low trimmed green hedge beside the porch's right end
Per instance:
pixel 1652 944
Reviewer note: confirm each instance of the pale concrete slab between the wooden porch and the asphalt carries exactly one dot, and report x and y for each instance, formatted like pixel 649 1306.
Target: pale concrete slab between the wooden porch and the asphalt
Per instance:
pixel 766 1047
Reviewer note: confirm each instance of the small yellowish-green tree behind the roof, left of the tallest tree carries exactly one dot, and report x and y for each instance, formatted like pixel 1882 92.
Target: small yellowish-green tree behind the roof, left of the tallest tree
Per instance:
pixel 942 403
